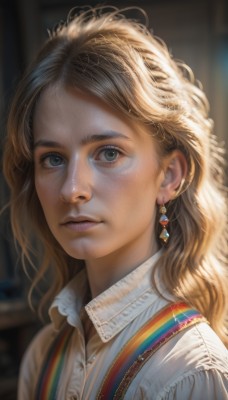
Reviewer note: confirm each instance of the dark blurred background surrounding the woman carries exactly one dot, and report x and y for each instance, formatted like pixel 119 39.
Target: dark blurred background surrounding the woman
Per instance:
pixel 195 31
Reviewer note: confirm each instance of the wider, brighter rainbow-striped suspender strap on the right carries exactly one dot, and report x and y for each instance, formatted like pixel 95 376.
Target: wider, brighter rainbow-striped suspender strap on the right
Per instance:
pixel 168 322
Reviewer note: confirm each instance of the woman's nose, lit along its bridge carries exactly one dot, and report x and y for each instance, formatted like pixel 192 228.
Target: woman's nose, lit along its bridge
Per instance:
pixel 76 186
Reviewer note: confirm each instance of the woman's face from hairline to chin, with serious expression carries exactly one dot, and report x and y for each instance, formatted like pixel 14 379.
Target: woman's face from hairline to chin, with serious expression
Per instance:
pixel 97 177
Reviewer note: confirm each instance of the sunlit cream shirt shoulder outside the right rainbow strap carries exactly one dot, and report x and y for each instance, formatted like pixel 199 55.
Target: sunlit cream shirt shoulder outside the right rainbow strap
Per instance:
pixel 192 365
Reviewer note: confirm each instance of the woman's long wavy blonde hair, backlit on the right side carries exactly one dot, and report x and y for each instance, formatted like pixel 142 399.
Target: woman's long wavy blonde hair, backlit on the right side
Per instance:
pixel 120 61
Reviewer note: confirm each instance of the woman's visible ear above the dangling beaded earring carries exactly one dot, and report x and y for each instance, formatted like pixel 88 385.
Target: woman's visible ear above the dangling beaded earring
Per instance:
pixel 175 170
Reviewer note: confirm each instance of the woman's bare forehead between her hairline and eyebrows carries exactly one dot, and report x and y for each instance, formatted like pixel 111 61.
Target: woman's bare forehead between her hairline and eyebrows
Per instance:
pixel 62 111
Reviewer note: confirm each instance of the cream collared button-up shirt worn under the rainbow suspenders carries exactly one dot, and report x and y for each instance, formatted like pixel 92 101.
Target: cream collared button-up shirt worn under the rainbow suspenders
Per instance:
pixel 192 365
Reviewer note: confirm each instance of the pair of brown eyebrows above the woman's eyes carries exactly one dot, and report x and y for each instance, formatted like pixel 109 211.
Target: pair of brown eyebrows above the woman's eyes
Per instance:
pixel 87 140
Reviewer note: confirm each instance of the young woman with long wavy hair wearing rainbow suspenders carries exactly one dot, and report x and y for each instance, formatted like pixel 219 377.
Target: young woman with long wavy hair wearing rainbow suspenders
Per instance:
pixel 114 169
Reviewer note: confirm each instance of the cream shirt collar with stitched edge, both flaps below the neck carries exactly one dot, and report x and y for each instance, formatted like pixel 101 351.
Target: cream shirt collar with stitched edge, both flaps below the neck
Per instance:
pixel 113 309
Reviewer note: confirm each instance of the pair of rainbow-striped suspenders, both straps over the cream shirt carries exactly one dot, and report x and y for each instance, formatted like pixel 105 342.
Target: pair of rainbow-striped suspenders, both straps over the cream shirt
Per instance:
pixel 165 324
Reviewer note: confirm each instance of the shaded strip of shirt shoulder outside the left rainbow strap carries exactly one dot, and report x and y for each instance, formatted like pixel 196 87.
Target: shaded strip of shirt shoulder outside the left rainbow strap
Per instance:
pixel 32 361
